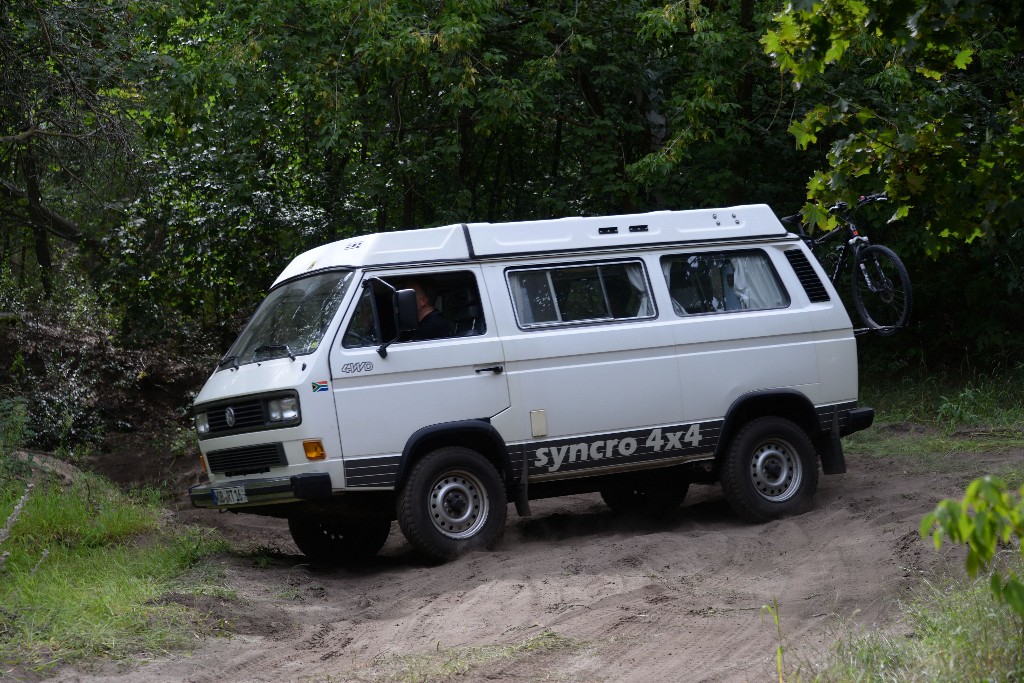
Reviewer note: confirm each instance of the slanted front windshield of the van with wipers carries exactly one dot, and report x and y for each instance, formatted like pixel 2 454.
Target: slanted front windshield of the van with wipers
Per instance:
pixel 292 321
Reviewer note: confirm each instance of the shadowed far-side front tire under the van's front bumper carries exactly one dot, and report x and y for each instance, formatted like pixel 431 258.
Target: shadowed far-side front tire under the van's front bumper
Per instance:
pixel 338 540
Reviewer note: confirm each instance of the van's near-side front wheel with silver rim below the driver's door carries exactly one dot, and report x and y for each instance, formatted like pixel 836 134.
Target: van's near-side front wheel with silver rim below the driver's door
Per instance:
pixel 454 501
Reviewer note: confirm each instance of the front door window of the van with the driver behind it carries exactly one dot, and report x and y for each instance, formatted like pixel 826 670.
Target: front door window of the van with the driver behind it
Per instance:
pixel 449 307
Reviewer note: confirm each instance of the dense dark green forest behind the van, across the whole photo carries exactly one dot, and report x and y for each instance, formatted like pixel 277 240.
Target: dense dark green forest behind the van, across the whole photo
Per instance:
pixel 161 162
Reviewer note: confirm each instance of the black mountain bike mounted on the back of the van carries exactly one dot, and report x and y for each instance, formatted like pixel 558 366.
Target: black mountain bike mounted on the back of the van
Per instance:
pixel 881 286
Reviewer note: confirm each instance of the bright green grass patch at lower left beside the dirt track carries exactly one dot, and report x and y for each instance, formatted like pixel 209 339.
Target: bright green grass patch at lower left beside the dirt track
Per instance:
pixel 88 565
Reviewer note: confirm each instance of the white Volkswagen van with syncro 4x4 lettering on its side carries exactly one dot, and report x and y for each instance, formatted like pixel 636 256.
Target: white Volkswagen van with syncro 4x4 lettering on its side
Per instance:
pixel 631 356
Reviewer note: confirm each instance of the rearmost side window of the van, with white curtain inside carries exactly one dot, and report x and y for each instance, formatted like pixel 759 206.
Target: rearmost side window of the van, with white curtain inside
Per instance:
pixel 710 283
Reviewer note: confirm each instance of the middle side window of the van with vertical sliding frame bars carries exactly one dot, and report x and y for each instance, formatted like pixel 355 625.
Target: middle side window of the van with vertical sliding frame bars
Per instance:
pixel 581 293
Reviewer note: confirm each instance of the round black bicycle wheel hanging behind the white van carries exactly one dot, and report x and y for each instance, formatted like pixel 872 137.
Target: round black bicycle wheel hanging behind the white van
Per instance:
pixel 881 289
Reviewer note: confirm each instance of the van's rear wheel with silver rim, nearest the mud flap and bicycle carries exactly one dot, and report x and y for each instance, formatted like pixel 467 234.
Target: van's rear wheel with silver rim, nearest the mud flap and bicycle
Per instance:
pixel 771 472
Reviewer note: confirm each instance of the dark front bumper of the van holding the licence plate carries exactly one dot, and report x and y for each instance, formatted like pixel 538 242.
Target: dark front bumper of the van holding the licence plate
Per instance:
pixel 310 487
